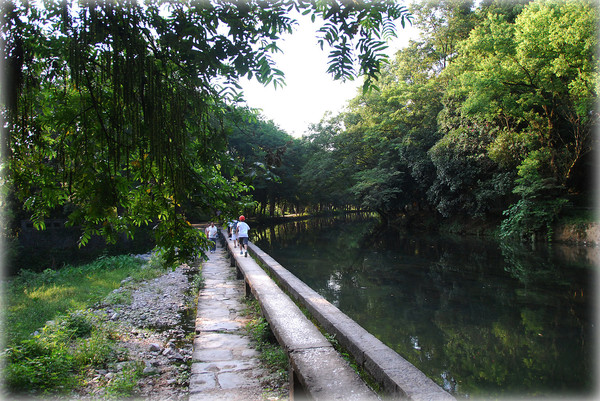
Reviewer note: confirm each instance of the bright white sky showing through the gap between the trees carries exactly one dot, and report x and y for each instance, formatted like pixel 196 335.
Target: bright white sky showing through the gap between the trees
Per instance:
pixel 309 92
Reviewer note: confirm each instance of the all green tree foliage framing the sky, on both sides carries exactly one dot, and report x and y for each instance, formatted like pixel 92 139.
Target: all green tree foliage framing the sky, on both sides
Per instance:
pixel 125 115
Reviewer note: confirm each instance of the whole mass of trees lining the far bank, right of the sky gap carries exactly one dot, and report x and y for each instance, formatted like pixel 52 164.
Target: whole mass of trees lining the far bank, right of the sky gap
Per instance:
pixel 490 115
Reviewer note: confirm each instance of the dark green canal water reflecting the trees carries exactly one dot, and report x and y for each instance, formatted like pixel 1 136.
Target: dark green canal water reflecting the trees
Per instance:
pixel 485 320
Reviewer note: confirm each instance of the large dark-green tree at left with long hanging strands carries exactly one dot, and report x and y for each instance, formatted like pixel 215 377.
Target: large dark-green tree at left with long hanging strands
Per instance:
pixel 114 110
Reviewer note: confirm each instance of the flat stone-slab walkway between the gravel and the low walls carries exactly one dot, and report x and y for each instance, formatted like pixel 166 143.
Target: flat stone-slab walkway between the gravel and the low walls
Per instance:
pixel 224 363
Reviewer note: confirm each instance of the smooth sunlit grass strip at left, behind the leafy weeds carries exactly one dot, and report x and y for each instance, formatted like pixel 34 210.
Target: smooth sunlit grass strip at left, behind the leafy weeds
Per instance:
pixel 36 298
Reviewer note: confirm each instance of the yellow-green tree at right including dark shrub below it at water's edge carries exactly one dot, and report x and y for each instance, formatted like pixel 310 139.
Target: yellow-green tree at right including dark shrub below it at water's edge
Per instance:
pixel 536 80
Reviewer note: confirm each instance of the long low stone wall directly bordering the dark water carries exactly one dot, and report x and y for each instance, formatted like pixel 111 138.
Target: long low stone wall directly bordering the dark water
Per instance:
pixel 398 377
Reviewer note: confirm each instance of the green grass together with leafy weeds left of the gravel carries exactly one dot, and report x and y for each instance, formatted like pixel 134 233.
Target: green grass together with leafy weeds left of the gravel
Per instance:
pixel 70 340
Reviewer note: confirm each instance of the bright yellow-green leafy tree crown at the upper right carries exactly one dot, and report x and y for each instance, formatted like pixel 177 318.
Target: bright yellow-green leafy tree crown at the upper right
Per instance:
pixel 536 79
